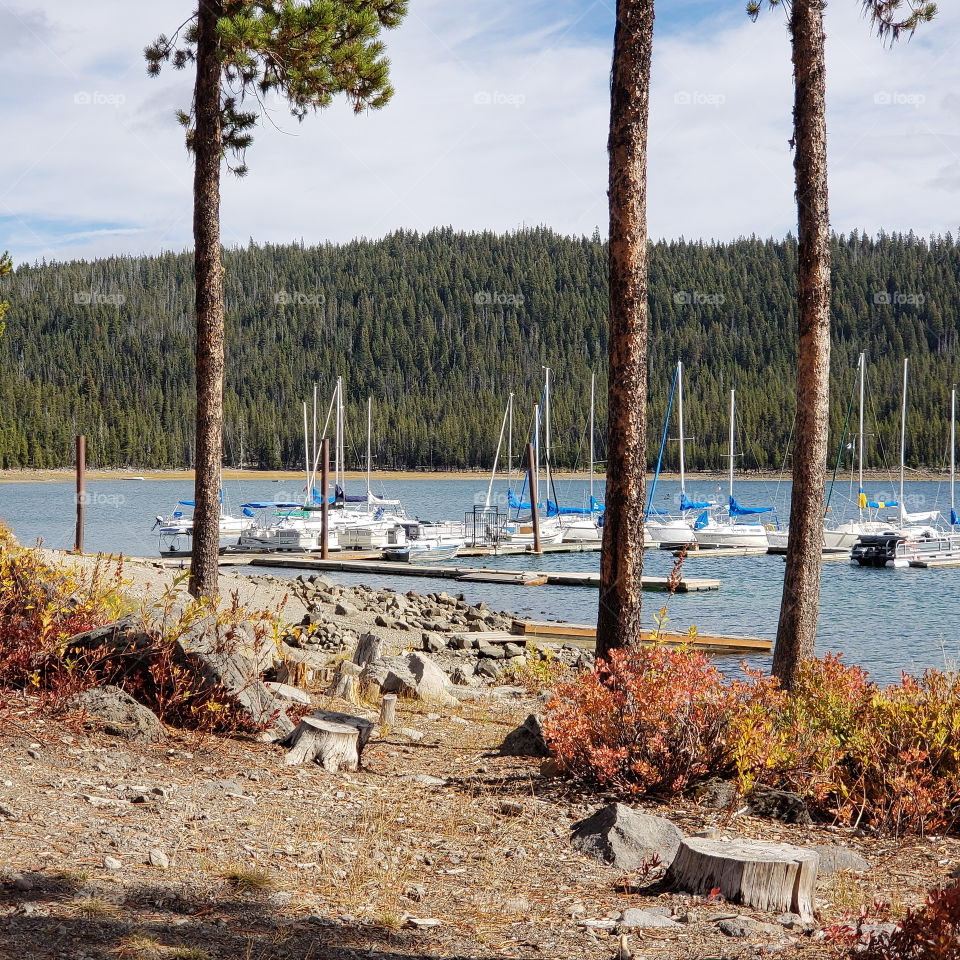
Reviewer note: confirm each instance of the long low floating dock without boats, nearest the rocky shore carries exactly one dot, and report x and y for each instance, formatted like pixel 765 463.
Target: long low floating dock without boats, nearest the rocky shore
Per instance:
pixel 473 574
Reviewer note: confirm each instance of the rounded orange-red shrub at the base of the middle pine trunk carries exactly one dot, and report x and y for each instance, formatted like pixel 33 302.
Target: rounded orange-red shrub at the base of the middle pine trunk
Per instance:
pixel 652 720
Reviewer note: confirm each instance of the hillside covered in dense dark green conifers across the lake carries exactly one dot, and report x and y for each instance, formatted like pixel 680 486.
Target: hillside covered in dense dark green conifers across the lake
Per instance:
pixel 439 328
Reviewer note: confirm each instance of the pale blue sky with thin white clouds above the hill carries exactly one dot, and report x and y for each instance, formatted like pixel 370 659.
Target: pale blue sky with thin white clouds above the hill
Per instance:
pixel 499 122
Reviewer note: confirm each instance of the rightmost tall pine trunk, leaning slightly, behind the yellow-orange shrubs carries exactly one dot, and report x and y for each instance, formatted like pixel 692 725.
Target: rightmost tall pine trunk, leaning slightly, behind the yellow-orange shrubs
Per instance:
pixel 800 606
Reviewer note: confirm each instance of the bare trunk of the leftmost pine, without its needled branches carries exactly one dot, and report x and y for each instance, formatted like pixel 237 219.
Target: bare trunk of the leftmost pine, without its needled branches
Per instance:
pixel 208 150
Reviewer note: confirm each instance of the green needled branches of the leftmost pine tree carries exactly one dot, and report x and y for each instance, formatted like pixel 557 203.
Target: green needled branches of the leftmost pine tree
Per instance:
pixel 302 53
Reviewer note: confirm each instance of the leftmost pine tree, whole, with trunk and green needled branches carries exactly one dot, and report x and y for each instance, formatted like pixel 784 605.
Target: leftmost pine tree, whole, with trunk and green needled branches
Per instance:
pixel 306 53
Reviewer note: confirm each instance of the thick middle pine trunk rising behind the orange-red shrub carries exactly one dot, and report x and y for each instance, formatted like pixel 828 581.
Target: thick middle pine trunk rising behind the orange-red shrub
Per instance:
pixel 621 564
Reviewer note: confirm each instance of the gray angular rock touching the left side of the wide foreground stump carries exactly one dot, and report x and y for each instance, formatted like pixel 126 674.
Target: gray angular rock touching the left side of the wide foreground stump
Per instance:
pixel 626 838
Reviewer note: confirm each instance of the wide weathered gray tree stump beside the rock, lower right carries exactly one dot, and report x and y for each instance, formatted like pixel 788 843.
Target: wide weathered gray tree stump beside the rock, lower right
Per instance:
pixel 768 876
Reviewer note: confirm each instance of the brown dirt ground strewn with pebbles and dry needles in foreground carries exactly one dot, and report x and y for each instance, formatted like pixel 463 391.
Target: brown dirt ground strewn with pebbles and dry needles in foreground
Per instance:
pixel 208 847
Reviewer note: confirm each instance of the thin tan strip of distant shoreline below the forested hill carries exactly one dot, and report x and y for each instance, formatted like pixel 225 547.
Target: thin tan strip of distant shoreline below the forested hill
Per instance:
pixel 63 474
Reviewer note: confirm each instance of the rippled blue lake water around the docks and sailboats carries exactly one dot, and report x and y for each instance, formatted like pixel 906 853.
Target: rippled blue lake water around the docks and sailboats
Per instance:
pixel 886 620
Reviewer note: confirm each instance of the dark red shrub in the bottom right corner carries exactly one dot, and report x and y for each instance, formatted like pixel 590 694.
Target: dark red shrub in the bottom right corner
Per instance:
pixel 930 933
